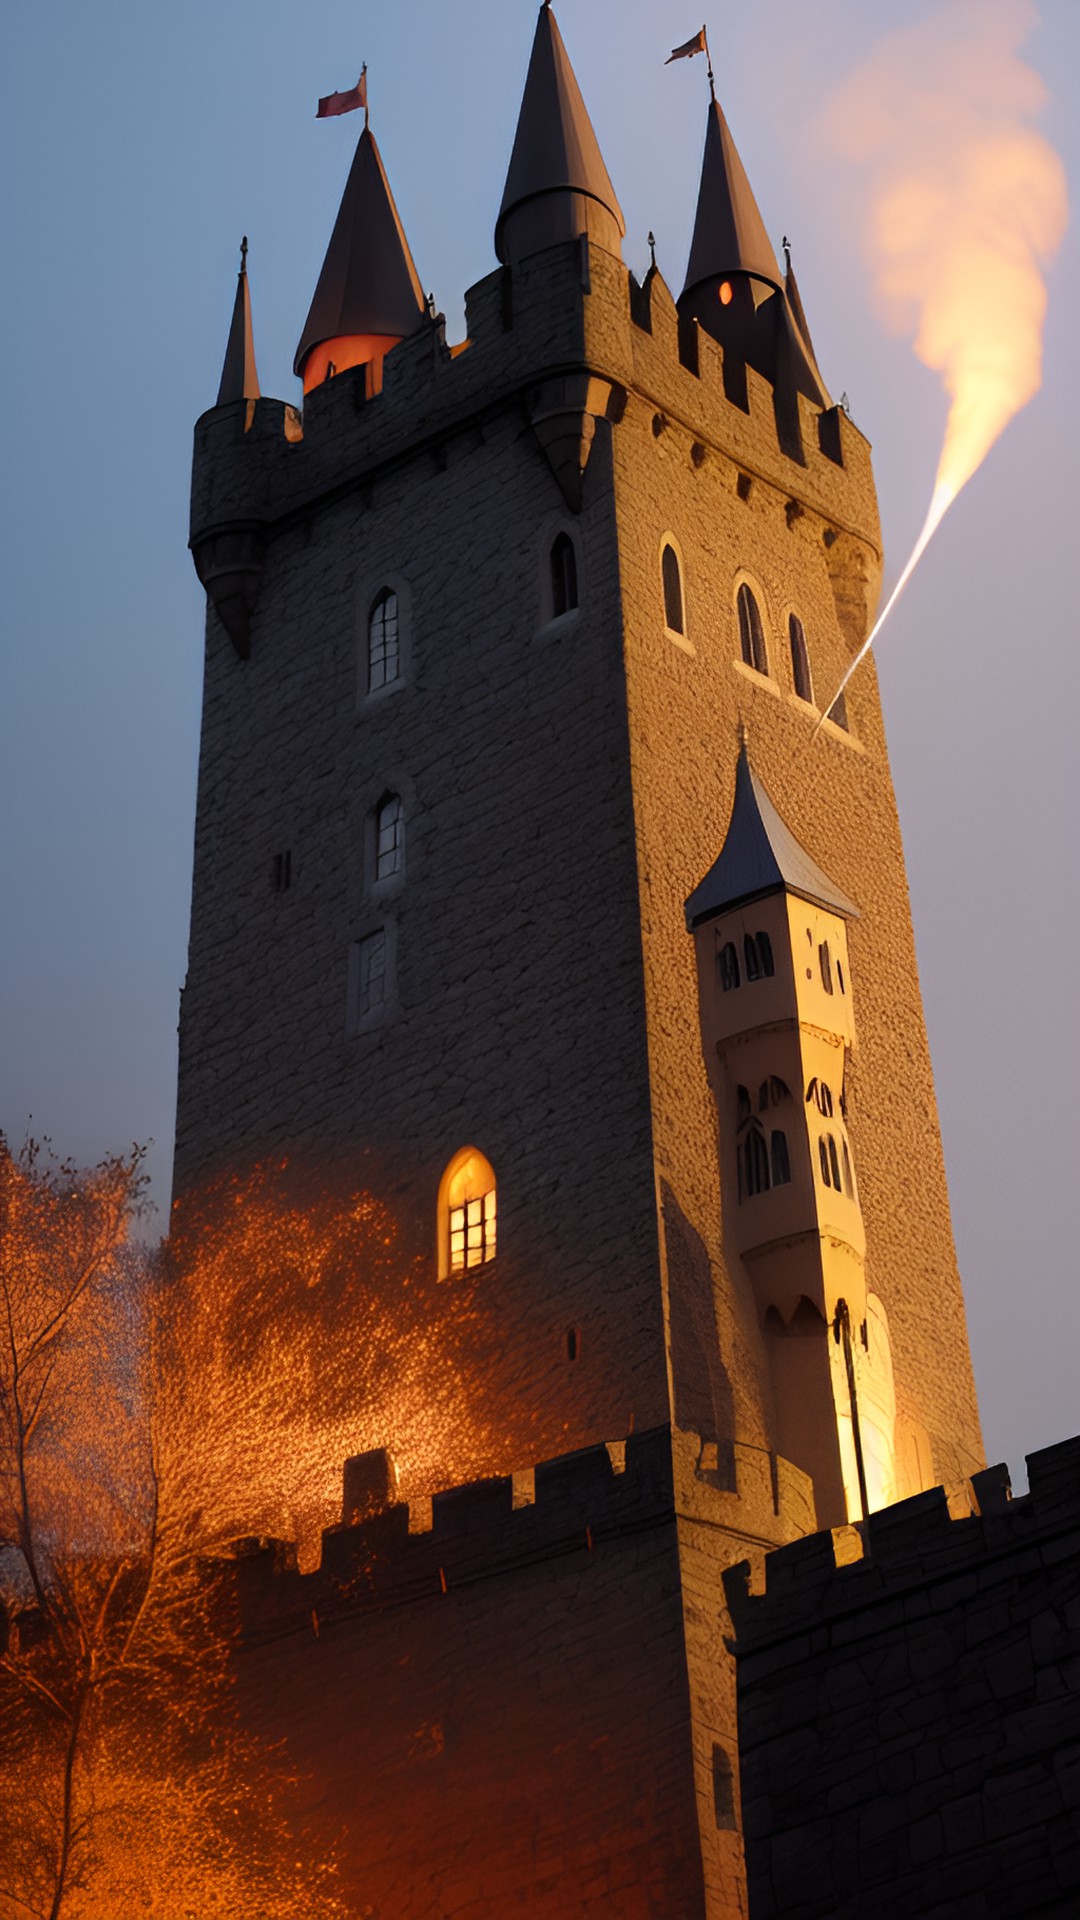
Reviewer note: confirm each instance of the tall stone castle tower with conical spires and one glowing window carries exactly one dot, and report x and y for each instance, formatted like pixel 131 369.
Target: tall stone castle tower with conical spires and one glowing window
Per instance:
pixel 468 757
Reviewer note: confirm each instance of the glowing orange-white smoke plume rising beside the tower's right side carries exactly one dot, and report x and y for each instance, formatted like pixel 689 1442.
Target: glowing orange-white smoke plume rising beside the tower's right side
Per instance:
pixel 964 208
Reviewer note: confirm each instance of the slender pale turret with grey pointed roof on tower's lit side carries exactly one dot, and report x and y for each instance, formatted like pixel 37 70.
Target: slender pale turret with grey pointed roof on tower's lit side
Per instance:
pixel 777 1028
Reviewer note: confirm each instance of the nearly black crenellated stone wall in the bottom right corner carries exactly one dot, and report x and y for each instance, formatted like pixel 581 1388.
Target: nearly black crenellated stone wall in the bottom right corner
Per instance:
pixel 910 1727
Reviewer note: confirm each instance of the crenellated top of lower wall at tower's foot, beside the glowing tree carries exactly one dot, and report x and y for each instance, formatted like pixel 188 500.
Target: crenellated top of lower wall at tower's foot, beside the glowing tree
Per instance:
pixel 579 1502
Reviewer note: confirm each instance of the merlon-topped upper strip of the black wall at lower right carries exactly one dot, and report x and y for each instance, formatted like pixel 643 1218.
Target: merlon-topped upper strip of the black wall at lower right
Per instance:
pixel 906 1548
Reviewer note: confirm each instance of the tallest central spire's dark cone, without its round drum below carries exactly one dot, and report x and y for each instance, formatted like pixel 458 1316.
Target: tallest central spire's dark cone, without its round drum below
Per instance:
pixel 554 147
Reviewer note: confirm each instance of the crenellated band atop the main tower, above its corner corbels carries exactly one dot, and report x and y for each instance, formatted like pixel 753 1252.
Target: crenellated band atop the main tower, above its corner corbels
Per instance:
pixel 564 312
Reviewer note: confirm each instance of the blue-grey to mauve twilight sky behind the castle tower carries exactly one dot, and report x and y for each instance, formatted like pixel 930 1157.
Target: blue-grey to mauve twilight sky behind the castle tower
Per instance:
pixel 139 145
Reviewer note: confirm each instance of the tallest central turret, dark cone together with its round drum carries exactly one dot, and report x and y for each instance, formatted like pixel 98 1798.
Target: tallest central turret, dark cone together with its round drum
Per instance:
pixel 558 187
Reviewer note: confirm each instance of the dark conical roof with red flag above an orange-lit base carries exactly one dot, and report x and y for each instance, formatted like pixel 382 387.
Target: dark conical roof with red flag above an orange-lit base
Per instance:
pixel 368 283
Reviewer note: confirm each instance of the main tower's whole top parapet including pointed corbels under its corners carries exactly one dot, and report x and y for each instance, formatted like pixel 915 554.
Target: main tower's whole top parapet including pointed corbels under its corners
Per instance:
pixel 560 341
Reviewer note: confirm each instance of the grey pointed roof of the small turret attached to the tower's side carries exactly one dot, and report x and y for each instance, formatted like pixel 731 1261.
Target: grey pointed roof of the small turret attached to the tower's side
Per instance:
pixel 760 855
